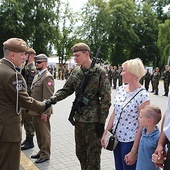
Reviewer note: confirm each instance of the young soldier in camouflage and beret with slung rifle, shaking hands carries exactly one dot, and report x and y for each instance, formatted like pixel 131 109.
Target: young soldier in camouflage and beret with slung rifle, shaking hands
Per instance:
pixel 89 125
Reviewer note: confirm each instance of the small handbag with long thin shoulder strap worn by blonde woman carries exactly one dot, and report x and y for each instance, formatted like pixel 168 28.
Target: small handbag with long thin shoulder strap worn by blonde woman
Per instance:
pixel 111 140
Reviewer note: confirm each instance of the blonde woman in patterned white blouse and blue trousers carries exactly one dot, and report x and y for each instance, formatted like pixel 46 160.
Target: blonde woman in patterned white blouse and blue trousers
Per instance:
pixel 128 130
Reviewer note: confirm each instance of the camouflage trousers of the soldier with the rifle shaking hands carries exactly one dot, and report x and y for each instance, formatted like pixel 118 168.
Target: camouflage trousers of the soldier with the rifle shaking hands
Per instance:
pixel 88 146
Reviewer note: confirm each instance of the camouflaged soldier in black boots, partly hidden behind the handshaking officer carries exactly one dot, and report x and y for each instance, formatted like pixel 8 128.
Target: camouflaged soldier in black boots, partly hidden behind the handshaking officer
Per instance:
pixel 28 73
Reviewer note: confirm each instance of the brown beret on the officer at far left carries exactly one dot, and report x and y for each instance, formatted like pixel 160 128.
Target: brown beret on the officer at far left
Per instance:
pixel 16 45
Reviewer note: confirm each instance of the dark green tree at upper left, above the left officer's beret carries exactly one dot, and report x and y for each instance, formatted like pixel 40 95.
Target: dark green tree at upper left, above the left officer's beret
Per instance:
pixel 32 20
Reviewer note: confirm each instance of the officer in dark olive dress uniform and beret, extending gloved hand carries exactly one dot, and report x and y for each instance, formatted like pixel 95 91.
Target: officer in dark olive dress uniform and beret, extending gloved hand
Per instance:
pixel 13 97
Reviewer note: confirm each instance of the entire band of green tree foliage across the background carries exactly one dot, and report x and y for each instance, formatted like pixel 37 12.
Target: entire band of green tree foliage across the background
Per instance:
pixel 125 29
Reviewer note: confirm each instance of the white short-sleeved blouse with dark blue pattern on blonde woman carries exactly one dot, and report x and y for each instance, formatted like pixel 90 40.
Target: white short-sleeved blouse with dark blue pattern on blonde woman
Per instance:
pixel 128 124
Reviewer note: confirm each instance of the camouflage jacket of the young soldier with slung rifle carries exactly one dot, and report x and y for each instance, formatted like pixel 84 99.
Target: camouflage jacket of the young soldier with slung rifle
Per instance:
pixel 98 88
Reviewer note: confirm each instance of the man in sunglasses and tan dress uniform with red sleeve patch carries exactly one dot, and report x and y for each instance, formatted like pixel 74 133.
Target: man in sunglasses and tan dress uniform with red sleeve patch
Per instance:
pixel 42 88
